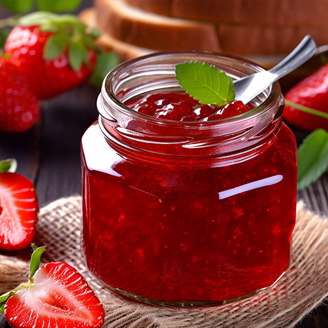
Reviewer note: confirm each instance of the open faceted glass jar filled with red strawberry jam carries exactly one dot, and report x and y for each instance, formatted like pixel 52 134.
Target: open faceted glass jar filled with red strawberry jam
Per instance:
pixel 187 213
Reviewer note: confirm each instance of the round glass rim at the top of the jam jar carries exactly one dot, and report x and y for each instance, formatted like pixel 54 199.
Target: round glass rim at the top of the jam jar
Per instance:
pixel 259 110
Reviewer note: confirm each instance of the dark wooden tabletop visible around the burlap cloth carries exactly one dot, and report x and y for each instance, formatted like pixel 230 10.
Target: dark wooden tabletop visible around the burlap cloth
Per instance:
pixel 49 155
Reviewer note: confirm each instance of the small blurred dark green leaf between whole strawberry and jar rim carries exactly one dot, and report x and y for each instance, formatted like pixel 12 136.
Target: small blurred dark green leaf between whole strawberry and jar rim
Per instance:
pixel 105 62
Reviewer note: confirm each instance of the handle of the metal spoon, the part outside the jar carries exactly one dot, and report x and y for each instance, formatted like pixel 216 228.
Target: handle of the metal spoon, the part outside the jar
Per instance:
pixel 303 52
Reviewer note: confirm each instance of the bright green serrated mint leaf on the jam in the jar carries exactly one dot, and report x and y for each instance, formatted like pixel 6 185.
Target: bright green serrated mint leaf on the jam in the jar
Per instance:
pixel 205 83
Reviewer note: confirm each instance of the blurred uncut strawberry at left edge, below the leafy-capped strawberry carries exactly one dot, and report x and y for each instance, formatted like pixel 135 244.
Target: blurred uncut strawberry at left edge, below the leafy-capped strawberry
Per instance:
pixel 19 108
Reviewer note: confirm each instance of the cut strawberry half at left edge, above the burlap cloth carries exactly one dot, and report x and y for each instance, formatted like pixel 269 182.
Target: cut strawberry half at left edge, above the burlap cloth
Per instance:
pixel 18 211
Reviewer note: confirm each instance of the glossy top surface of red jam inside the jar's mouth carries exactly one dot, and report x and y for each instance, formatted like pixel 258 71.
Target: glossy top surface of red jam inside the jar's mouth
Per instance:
pixel 182 107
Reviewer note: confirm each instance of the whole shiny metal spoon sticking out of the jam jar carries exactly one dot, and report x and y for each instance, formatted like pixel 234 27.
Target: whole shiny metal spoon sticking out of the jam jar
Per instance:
pixel 248 87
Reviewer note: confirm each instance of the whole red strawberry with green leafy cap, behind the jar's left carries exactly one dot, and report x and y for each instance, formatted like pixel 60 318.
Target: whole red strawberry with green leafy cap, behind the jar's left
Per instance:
pixel 55 53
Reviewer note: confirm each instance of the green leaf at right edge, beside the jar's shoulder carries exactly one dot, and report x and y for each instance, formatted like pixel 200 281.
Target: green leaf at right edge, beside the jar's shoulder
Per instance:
pixel 312 158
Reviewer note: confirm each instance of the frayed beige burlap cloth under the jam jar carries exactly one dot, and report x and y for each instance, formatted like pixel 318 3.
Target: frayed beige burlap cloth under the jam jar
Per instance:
pixel 303 287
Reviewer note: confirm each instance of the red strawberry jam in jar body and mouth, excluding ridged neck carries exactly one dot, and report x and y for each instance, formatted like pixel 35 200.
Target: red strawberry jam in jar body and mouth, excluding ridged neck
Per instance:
pixel 198 233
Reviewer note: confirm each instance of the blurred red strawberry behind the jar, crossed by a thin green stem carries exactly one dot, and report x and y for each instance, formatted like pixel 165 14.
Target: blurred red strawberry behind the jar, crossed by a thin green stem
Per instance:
pixel 311 92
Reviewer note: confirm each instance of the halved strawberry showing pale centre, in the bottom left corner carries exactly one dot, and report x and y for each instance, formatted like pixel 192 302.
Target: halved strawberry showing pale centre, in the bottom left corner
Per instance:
pixel 59 297
